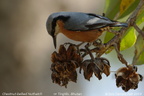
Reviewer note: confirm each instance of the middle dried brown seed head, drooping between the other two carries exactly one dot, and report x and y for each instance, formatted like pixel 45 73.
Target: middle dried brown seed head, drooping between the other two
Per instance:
pixel 99 66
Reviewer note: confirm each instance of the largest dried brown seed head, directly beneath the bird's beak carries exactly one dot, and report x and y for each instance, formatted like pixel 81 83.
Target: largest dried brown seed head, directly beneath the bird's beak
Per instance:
pixel 64 65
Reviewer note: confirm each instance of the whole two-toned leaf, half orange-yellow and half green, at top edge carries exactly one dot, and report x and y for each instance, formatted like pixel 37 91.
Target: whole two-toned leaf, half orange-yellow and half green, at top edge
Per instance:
pixel 127 6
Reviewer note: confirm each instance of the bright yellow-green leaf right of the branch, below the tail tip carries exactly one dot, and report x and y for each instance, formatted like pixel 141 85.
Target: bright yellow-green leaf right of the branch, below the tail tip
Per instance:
pixel 128 40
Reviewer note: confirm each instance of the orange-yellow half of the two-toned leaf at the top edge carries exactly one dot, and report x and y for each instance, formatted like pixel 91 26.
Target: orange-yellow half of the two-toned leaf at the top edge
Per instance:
pixel 125 5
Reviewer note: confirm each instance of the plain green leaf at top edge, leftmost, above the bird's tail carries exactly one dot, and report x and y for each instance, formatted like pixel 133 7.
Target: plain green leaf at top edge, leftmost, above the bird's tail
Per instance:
pixel 112 8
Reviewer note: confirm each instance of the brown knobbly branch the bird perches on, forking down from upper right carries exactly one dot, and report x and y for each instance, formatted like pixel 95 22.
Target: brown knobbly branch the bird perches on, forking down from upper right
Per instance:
pixel 102 48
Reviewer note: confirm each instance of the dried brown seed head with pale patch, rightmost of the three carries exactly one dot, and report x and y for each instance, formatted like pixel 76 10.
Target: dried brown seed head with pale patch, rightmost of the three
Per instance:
pixel 128 78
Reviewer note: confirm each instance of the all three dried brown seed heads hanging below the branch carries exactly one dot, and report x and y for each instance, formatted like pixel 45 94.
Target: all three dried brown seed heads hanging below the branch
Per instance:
pixel 68 59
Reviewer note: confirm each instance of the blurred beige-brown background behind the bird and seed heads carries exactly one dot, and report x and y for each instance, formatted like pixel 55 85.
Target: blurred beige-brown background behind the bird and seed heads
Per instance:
pixel 26 47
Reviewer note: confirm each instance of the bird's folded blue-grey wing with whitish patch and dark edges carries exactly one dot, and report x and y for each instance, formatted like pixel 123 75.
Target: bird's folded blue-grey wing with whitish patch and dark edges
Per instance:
pixel 83 22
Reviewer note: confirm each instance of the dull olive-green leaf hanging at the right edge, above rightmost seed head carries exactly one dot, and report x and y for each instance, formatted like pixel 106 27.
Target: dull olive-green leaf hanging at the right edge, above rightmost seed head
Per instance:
pixel 139 51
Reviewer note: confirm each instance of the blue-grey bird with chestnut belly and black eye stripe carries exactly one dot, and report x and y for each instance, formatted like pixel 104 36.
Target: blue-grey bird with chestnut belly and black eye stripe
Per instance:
pixel 78 26
